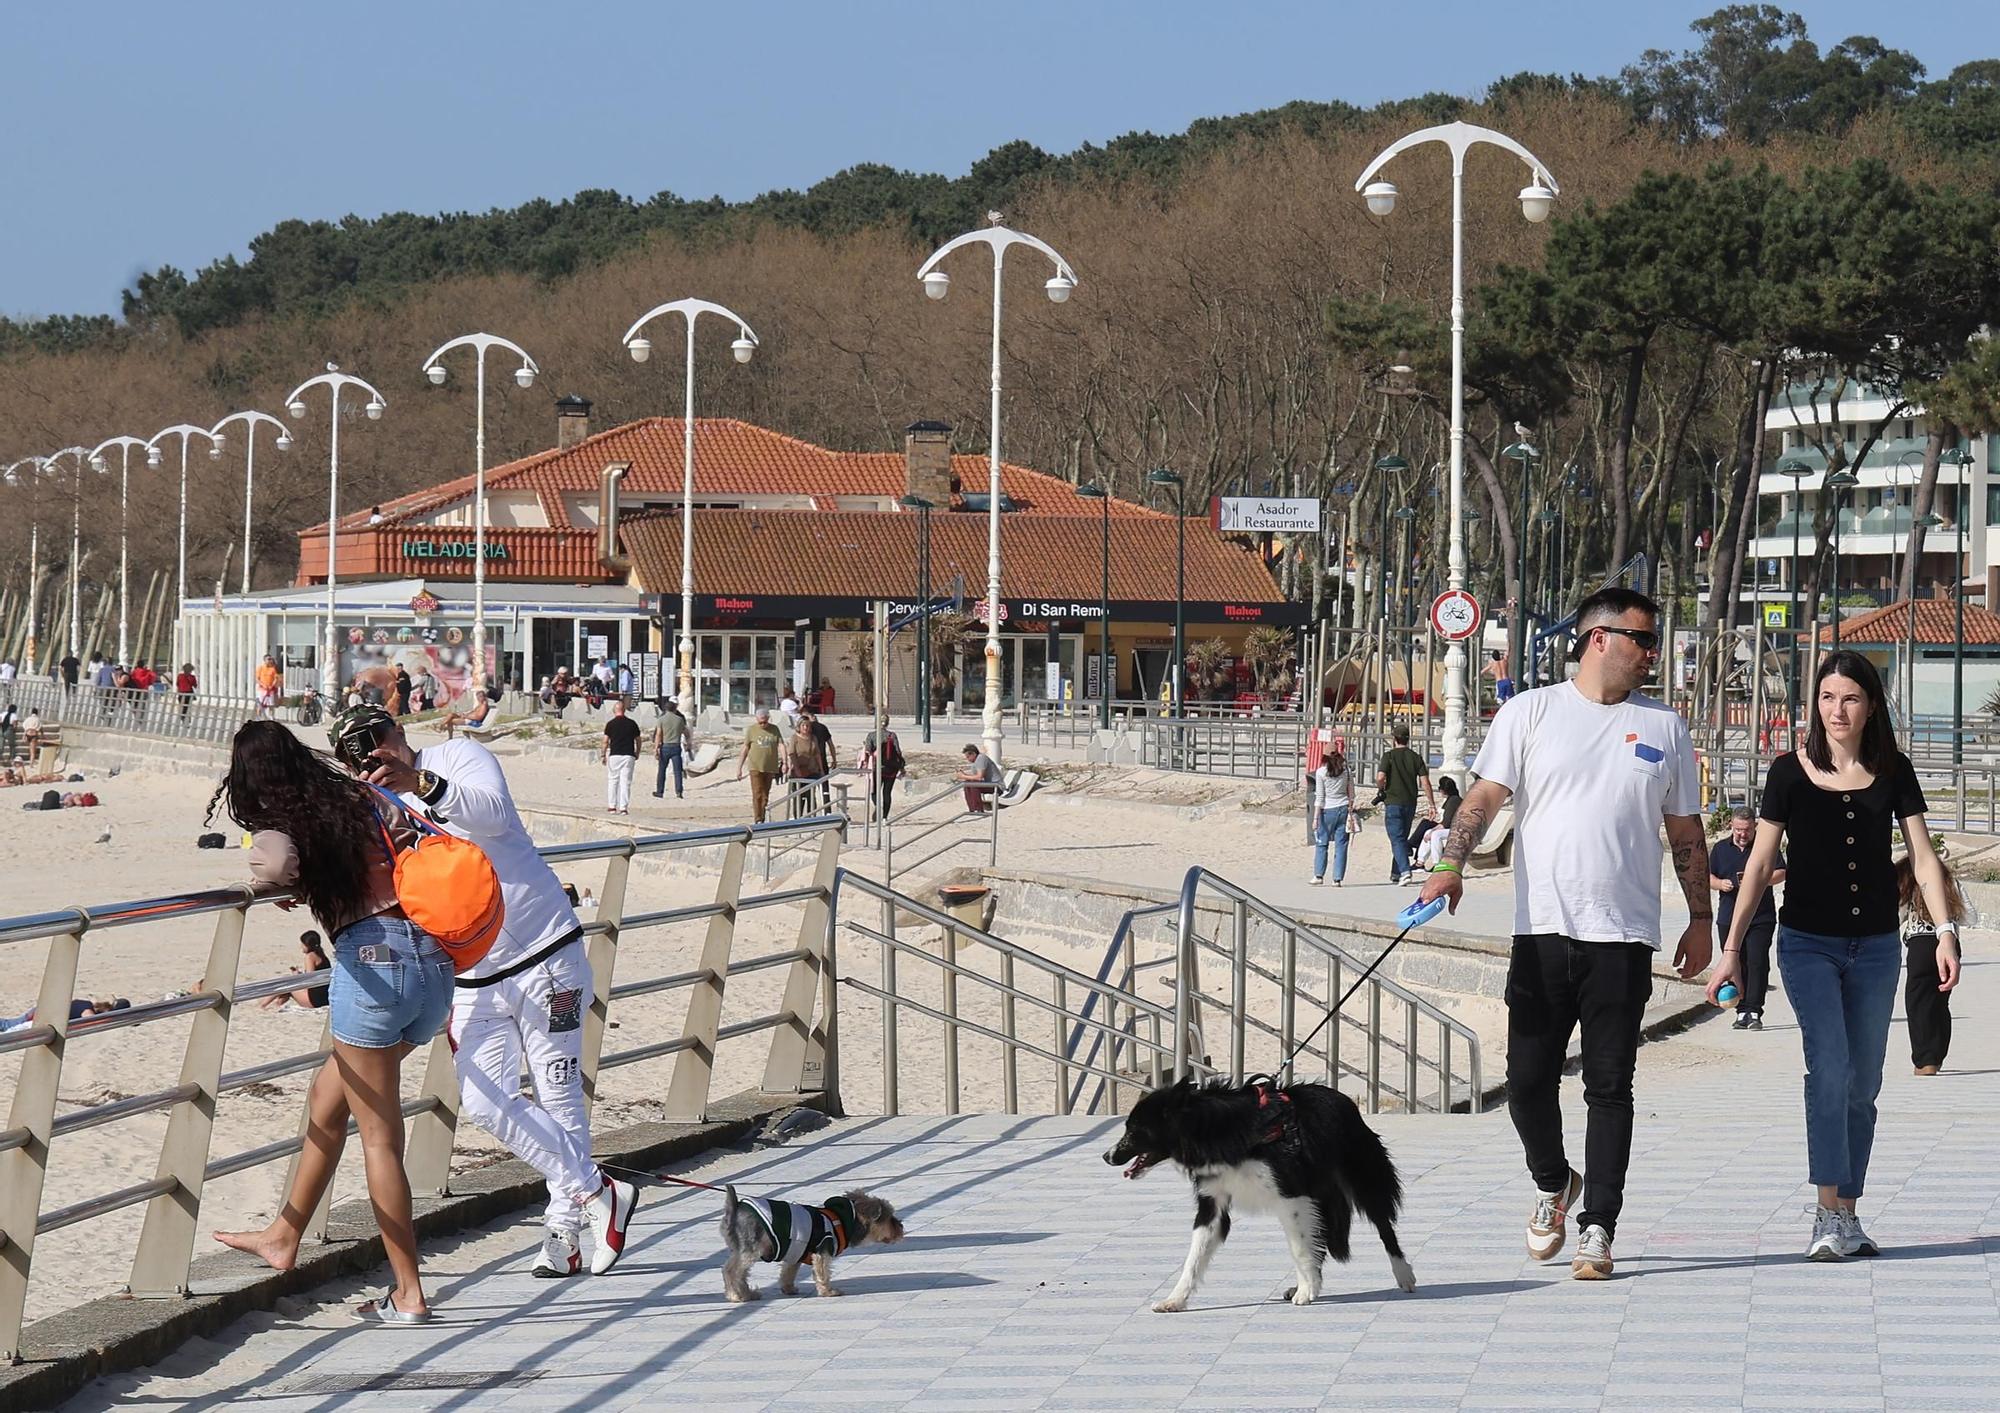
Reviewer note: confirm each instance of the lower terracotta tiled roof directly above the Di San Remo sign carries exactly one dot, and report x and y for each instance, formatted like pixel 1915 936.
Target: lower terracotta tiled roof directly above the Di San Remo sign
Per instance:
pixel 861 555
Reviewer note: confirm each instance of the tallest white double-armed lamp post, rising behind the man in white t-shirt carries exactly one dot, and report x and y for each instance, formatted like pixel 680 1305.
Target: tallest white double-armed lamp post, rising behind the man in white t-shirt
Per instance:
pixel 1535 203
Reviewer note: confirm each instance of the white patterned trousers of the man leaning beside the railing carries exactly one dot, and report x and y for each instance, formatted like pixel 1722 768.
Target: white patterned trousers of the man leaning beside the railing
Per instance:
pixel 537 1014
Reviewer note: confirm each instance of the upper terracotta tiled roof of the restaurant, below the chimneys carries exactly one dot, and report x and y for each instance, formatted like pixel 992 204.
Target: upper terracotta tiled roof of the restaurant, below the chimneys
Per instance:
pixel 729 459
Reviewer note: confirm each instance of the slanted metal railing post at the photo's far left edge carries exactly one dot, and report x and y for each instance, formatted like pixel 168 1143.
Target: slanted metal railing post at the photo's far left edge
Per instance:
pixel 25 1170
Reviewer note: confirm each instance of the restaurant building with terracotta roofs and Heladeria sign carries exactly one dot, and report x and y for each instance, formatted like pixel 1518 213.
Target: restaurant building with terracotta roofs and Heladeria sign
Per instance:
pixel 793 545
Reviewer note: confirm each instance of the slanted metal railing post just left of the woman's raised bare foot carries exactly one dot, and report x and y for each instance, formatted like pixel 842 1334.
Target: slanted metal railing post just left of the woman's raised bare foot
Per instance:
pixel 167 1240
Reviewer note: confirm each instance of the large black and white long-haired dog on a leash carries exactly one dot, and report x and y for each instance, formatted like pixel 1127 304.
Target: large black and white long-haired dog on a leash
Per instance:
pixel 1301 1152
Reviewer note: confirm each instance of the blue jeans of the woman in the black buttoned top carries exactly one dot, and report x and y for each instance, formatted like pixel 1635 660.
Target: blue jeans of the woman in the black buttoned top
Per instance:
pixel 1843 992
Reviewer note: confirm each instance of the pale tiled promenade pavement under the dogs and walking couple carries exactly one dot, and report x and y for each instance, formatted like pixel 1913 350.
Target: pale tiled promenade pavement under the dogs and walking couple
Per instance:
pixel 1031 1266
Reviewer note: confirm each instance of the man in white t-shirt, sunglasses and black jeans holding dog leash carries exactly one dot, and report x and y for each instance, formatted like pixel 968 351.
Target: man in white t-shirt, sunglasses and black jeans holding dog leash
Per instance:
pixel 1593 770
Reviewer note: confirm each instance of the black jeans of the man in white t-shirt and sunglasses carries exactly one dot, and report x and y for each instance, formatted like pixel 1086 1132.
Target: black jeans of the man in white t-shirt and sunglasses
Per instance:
pixel 1553 986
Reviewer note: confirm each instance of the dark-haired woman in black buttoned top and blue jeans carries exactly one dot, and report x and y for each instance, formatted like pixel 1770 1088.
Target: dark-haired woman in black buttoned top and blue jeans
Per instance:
pixel 1839 952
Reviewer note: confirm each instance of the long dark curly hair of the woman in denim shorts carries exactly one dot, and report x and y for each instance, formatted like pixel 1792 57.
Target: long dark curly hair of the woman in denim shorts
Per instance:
pixel 279 784
